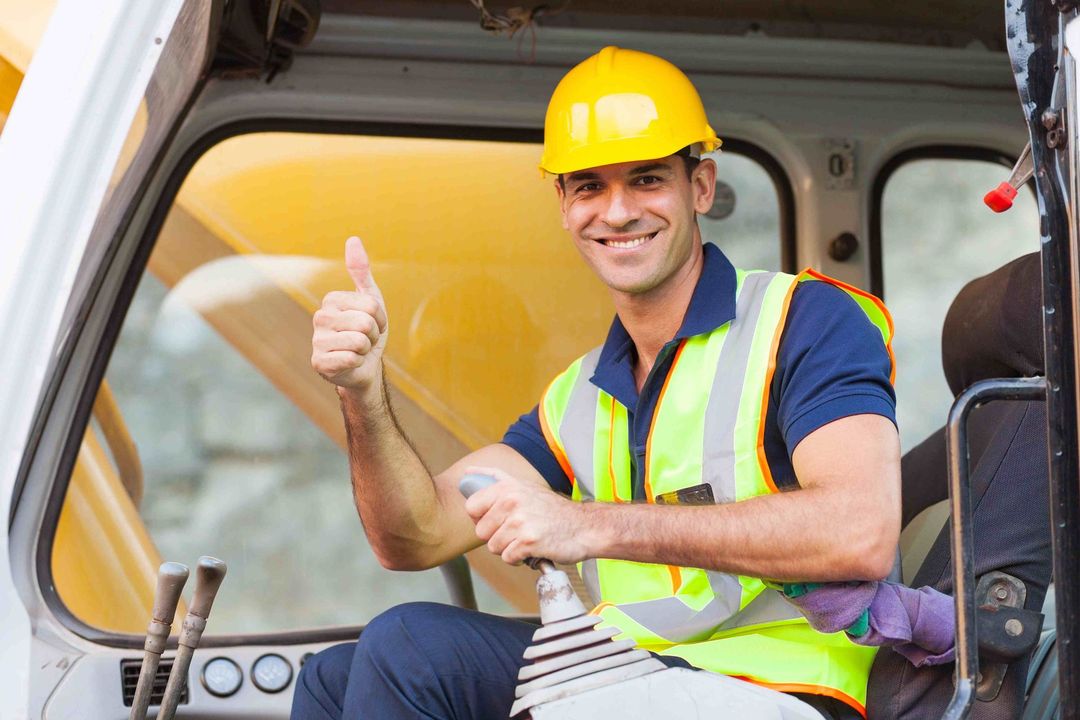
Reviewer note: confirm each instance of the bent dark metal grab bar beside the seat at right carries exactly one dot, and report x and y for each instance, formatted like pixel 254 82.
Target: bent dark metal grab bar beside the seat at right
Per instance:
pixel 962 540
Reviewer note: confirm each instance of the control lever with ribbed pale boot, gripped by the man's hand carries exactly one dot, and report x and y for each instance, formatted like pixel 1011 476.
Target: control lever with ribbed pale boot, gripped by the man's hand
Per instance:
pixel 569 655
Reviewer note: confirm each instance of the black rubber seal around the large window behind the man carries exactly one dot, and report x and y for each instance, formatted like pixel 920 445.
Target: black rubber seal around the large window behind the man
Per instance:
pixel 136 271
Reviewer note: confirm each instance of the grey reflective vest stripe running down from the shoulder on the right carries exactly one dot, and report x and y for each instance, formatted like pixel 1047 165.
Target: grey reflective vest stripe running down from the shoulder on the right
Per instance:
pixel 719 454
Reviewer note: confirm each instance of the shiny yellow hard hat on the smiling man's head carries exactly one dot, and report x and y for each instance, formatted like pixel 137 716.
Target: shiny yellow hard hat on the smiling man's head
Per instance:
pixel 620 106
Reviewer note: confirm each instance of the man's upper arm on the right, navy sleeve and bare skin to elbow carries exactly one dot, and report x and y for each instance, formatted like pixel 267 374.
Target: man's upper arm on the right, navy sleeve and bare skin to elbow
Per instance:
pixel 836 412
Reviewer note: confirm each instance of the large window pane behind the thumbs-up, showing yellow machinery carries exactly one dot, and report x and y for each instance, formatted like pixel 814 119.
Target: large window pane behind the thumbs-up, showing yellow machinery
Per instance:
pixel 240 445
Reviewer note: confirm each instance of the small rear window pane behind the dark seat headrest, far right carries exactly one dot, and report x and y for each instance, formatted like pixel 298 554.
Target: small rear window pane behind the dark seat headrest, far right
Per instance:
pixel 937 236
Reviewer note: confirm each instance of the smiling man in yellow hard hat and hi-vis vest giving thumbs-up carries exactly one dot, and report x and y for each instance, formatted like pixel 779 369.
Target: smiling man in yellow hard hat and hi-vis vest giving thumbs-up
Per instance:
pixel 715 393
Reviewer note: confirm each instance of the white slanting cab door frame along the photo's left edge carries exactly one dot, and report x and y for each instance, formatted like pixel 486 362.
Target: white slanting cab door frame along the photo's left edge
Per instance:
pixel 106 90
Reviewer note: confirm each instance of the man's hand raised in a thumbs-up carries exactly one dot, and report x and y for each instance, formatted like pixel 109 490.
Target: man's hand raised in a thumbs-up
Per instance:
pixel 352 328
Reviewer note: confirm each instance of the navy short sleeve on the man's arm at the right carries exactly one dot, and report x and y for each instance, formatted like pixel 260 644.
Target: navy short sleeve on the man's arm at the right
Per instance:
pixel 832 364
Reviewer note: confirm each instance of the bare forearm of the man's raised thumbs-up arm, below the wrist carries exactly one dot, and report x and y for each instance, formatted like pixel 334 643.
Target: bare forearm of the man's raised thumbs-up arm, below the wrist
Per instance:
pixel 395 493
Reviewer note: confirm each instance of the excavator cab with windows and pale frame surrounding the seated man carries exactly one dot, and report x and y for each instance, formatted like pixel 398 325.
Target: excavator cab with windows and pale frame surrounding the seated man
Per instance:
pixel 177 183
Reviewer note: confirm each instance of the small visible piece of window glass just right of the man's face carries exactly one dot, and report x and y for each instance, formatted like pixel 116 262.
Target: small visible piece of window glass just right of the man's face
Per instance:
pixel 746 218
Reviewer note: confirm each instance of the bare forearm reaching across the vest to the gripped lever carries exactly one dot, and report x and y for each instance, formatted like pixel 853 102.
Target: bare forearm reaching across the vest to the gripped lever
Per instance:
pixel 804 536
